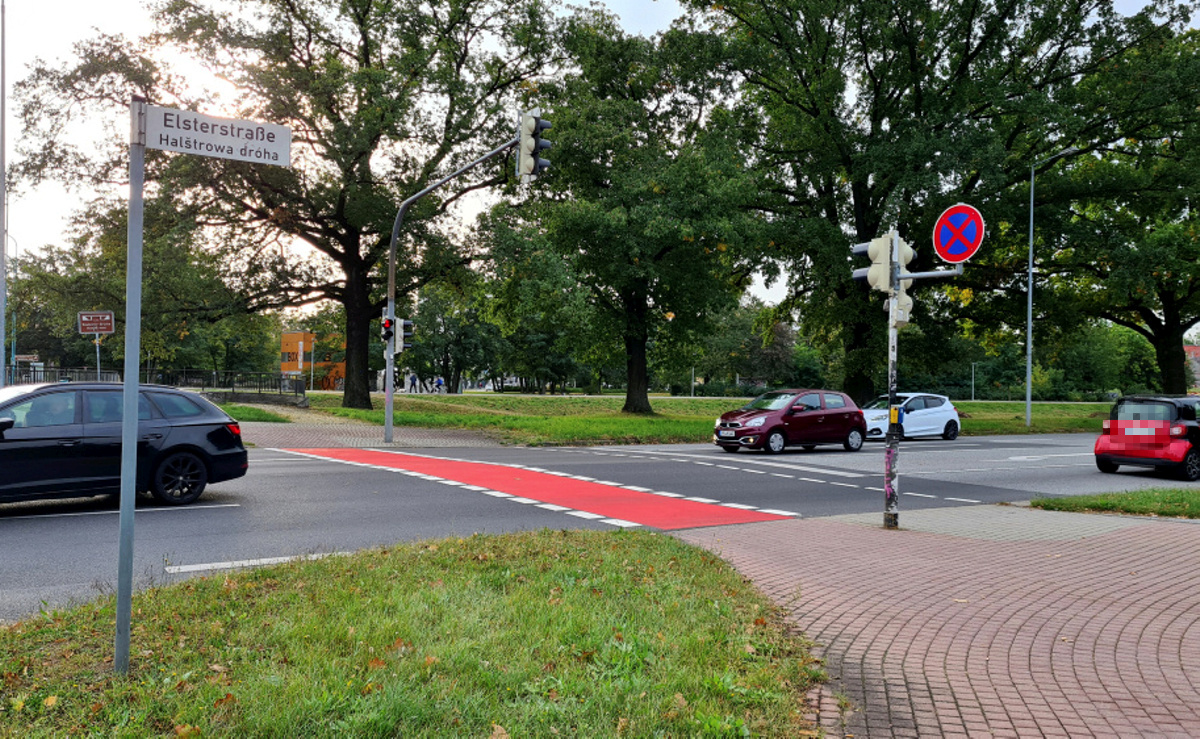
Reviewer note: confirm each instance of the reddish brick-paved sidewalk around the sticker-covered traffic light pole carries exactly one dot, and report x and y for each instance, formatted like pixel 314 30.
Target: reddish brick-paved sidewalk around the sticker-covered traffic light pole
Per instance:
pixel 989 621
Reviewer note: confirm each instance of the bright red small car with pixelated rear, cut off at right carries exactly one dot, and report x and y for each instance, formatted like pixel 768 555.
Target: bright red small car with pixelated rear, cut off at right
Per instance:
pixel 1151 431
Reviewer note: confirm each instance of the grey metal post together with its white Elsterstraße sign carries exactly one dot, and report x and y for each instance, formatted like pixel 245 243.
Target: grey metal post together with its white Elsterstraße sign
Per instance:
pixel 188 133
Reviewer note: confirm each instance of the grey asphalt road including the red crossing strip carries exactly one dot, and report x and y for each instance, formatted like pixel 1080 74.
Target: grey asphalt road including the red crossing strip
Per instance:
pixel 53 555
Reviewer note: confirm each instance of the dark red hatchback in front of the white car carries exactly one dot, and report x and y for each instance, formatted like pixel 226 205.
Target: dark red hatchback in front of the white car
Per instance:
pixel 793 418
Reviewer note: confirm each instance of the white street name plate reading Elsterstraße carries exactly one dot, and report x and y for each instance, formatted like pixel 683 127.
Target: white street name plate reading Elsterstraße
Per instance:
pixel 188 133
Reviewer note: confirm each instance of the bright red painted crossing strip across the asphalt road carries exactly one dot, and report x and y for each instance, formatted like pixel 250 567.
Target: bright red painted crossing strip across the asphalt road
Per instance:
pixel 645 509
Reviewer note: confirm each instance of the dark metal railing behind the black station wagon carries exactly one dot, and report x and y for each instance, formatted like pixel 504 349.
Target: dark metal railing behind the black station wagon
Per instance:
pixel 260 383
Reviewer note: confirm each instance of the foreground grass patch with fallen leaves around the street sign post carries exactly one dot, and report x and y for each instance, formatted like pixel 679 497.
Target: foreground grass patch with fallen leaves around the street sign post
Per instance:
pixel 589 634
